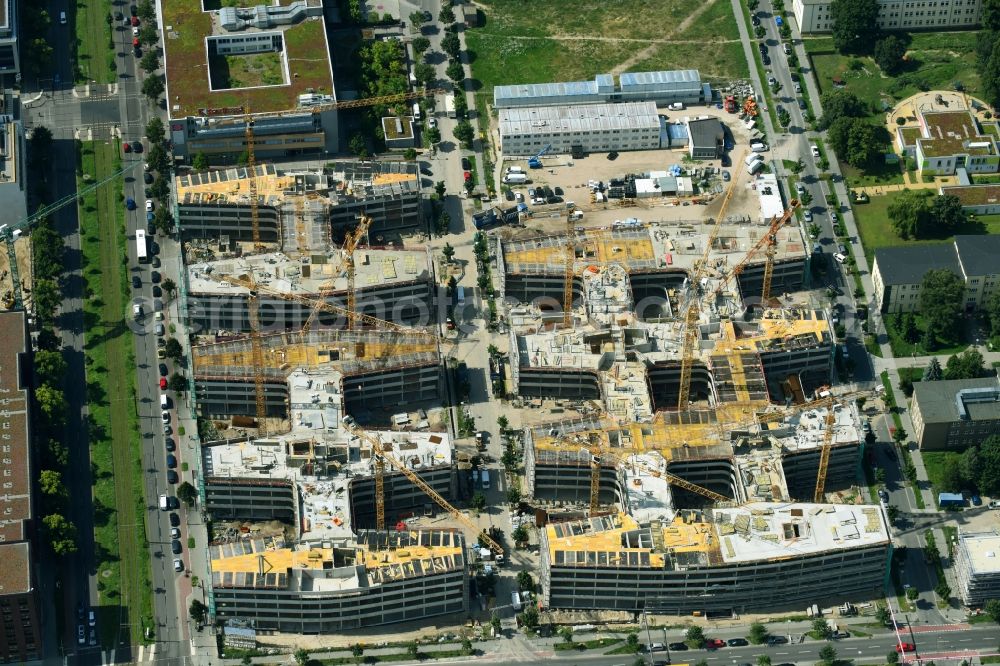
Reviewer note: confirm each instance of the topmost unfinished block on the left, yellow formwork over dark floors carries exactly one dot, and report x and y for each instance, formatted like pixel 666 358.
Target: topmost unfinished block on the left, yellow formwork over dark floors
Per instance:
pixel 304 209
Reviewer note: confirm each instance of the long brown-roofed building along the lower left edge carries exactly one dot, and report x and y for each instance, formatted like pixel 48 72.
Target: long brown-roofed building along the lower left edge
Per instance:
pixel 20 629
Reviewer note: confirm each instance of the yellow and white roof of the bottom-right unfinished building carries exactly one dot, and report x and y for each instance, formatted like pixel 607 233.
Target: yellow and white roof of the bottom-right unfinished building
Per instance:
pixel 756 532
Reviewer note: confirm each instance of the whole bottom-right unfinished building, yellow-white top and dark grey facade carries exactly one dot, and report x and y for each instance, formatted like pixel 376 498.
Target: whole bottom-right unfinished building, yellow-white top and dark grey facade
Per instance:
pixel 721 561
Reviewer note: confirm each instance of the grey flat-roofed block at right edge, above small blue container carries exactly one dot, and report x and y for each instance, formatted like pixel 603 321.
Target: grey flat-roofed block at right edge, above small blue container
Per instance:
pixel 952 415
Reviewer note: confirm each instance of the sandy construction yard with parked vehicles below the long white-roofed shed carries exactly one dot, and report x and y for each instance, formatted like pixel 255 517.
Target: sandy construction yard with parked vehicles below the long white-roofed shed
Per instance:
pixel 571 176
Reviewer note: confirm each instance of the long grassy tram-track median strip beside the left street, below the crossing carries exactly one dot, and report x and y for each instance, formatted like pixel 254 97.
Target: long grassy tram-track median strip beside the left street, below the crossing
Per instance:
pixel 122 553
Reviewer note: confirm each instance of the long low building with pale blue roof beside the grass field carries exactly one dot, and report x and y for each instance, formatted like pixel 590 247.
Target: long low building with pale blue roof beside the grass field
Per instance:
pixel 664 87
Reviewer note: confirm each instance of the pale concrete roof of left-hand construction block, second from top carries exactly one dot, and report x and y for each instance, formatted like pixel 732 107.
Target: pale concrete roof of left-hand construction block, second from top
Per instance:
pixel 321 273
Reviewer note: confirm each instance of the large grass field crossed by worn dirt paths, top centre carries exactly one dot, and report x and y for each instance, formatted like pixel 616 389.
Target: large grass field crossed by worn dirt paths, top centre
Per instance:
pixel 574 40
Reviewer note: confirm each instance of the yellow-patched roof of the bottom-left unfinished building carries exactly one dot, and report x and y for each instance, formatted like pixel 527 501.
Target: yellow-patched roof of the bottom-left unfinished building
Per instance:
pixel 311 566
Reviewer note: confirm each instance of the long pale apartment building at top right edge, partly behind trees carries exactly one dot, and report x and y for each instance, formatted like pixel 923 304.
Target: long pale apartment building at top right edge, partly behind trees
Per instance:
pixel 815 15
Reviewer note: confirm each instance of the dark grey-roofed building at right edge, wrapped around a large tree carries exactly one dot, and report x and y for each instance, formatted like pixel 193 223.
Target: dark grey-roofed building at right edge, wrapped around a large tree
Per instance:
pixel 898 272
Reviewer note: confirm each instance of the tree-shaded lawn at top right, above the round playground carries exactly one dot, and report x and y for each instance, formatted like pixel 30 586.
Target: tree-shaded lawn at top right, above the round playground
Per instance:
pixel 937 61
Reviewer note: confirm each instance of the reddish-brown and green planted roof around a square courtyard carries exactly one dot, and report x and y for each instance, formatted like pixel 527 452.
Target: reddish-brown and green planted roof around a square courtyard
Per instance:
pixel 186 28
